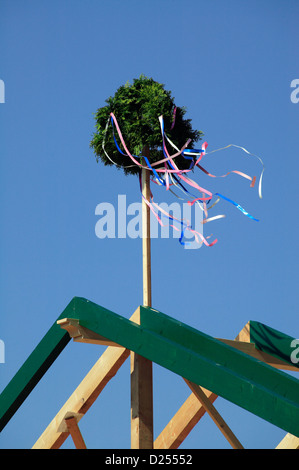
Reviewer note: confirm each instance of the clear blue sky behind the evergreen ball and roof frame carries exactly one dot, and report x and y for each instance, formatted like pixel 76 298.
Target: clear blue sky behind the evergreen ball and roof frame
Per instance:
pixel 231 64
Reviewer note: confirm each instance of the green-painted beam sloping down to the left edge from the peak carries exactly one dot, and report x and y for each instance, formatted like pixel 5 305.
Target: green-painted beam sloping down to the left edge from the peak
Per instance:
pixel 33 369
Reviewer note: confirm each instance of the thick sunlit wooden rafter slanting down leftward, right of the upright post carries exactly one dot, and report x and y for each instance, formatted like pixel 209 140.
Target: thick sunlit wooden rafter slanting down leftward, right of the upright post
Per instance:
pixel 182 423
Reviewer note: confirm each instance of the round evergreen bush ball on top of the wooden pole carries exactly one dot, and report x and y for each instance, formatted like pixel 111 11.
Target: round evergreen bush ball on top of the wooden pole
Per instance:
pixel 137 108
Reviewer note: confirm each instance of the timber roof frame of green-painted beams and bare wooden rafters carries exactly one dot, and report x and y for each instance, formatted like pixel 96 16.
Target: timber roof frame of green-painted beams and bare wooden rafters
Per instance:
pixel 263 350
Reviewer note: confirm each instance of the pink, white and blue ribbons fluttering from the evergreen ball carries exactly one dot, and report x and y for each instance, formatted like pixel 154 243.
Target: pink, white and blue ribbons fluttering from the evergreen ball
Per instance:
pixel 171 175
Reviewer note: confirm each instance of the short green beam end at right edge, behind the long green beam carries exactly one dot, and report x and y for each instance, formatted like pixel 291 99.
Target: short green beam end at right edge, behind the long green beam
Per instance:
pixel 273 342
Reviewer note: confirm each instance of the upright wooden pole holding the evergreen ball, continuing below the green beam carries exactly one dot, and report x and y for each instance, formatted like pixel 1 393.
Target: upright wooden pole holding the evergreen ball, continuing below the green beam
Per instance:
pixel 141 368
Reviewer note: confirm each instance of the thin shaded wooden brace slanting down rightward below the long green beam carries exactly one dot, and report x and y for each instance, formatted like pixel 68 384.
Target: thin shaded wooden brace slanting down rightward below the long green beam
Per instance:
pixel 216 417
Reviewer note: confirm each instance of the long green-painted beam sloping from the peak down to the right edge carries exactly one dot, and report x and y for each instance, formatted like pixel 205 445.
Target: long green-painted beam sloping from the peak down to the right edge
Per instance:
pixel 270 394
